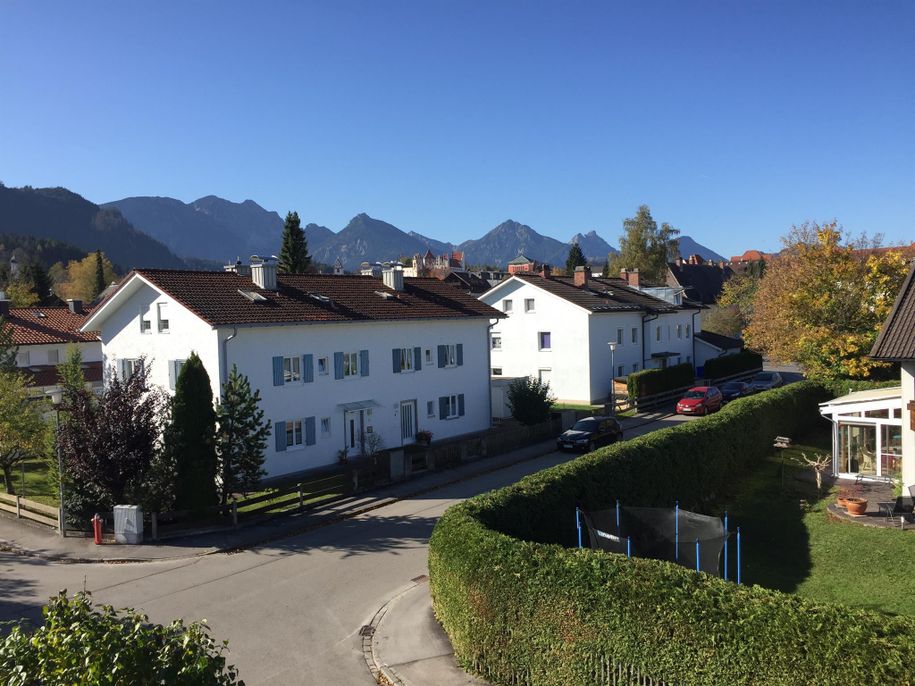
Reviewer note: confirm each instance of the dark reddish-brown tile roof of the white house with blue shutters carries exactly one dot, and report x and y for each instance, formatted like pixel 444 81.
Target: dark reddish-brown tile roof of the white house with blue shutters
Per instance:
pixel 215 297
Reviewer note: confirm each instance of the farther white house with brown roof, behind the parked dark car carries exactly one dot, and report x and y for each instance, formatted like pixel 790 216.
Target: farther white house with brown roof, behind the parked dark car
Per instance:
pixel 559 328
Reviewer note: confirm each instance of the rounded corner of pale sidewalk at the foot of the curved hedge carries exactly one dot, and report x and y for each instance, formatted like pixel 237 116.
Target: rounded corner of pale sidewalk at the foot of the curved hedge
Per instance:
pixel 408 645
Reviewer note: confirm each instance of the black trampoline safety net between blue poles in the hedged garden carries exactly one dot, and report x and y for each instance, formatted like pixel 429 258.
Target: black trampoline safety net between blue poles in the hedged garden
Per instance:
pixel 660 534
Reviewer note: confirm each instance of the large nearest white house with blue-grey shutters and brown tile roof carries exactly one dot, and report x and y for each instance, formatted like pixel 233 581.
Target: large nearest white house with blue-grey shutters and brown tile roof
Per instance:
pixel 337 358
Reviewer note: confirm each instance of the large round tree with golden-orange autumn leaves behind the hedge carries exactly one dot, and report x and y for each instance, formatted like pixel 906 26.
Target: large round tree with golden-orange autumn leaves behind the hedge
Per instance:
pixel 822 301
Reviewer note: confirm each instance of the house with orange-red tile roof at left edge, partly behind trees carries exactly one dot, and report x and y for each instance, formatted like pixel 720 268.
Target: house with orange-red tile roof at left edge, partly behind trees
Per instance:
pixel 42 336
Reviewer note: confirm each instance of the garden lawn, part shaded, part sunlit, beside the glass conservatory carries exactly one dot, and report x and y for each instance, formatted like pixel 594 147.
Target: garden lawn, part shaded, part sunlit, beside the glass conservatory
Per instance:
pixel 790 543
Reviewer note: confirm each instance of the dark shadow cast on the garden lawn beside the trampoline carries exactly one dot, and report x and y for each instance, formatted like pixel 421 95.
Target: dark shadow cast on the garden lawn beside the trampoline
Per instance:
pixel 769 507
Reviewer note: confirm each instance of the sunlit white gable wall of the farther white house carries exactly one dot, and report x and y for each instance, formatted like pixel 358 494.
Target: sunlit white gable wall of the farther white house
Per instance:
pixel 566 364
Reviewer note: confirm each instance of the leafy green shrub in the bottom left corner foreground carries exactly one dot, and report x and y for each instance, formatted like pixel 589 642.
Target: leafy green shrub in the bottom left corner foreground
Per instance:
pixel 82 644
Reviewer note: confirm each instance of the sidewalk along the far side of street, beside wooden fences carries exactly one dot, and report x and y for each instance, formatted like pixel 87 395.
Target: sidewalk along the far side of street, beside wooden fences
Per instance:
pixel 25 538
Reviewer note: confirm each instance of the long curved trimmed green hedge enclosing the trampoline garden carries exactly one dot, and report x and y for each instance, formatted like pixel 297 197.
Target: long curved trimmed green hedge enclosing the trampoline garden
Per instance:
pixel 523 606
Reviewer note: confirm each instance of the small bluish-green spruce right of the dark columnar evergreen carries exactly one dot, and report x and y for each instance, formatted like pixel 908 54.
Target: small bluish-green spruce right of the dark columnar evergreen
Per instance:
pixel 241 437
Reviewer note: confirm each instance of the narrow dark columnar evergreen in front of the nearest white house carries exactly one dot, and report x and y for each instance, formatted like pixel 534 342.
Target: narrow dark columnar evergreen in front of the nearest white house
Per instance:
pixel 190 438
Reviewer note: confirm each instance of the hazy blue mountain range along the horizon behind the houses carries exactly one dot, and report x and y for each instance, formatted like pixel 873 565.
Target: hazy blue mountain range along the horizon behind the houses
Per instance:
pixel 165 232
